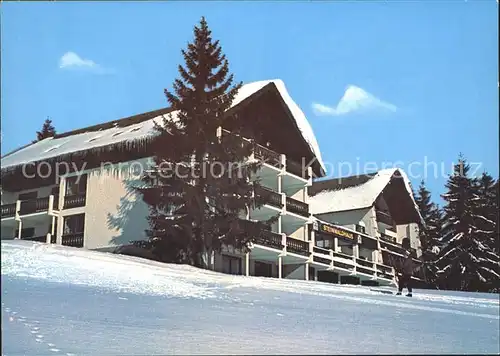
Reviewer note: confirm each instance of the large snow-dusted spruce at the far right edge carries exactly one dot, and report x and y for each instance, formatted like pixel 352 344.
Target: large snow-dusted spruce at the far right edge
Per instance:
pixel 466 262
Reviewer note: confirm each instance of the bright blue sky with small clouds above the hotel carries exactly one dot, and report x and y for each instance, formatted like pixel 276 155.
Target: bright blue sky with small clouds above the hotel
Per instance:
pixel 381 82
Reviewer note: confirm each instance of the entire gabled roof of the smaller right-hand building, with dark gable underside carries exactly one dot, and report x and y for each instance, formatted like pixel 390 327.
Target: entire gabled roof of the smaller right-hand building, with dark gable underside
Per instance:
pixel 360 192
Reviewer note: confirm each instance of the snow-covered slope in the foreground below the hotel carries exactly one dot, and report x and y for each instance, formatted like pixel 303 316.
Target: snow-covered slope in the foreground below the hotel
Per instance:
pixel 67 301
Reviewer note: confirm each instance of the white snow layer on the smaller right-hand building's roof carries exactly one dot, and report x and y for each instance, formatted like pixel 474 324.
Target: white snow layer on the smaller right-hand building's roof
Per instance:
pixel 358 196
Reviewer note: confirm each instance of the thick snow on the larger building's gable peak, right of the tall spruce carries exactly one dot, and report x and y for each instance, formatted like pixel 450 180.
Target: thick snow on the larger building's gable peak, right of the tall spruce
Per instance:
pixel 300 118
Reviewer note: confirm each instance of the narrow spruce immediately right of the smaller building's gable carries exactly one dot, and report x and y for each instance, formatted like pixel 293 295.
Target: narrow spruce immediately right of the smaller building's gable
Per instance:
pixel 430 233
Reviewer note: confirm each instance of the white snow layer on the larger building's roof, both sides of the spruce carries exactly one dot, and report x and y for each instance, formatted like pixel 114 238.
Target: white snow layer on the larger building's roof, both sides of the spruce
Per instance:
pixel 53 147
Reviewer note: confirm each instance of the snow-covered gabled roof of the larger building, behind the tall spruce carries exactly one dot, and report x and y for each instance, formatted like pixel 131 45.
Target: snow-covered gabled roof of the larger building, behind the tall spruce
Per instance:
pixel 141 126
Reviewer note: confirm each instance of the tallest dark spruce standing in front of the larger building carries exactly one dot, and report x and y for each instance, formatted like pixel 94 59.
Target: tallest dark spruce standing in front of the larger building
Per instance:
pixel 199 190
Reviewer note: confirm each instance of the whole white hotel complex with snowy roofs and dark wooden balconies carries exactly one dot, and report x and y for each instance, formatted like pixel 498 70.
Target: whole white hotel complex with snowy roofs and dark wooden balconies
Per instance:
pixel 76 189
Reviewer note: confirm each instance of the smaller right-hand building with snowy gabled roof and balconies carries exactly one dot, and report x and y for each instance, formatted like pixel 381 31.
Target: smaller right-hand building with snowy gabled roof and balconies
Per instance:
pixel 379 210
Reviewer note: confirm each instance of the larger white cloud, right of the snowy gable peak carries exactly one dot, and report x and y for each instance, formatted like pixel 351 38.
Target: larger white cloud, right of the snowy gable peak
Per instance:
pixel 355 99
